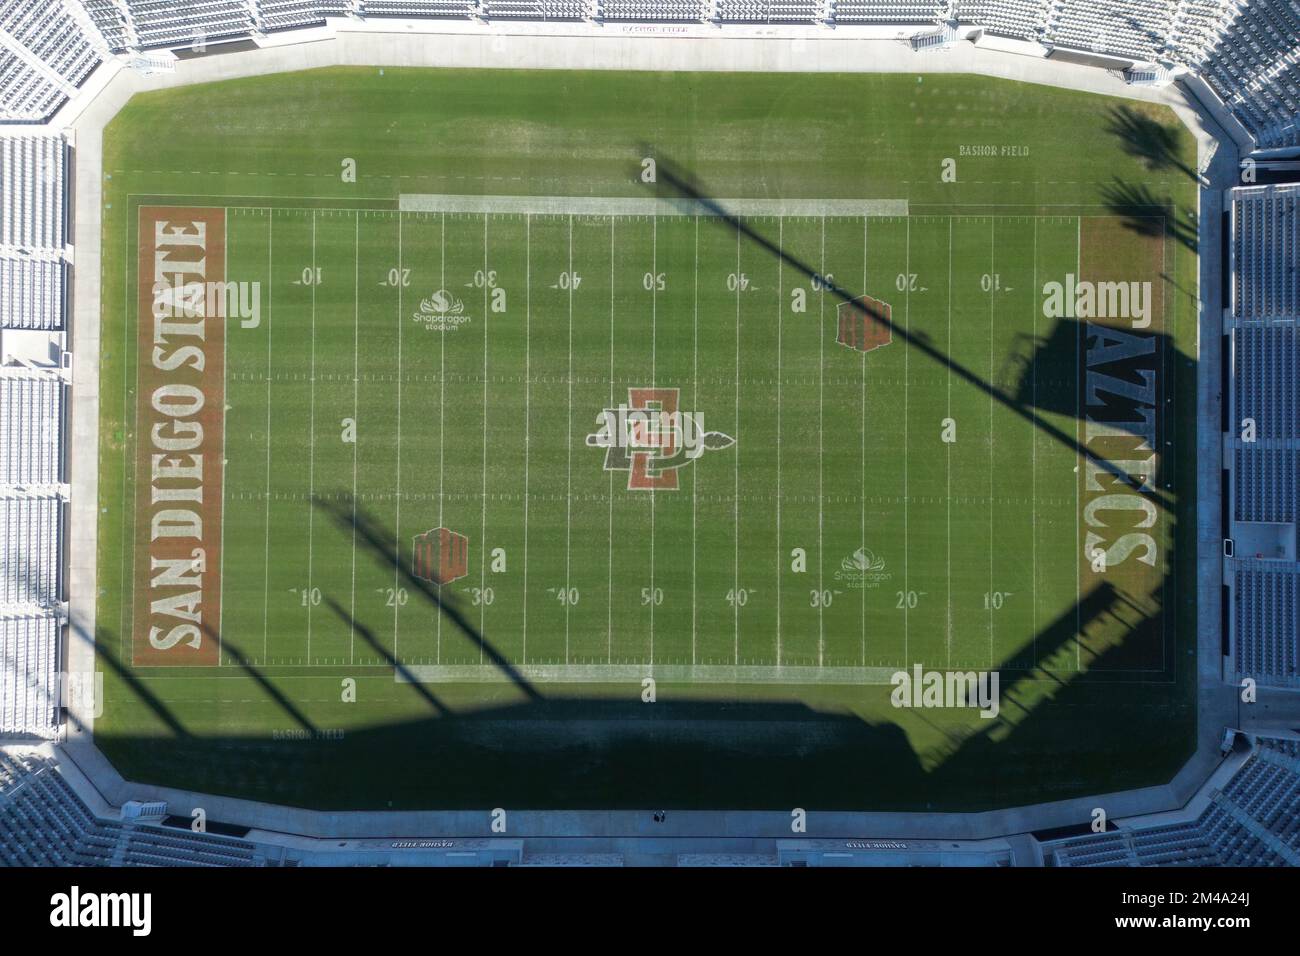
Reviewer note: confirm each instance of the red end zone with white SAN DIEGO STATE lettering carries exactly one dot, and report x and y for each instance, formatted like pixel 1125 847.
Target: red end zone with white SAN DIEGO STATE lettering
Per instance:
pixel 180 436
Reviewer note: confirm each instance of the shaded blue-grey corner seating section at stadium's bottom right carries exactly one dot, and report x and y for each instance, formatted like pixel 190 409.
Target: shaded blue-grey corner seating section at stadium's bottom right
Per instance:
pixel 1254 821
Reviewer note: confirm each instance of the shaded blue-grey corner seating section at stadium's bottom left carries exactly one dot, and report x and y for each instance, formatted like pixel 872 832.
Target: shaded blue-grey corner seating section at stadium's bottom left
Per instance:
pixel 45 824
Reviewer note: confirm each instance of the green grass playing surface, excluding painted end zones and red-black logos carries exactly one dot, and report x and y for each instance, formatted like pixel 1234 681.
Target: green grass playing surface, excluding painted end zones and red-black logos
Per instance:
pixel 948 460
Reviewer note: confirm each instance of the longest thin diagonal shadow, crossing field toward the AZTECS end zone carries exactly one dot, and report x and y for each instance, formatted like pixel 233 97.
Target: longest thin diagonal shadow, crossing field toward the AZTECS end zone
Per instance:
pixel 687 191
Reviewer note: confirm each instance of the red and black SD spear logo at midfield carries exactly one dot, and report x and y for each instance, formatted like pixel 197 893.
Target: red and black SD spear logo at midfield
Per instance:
pixel 651 439
